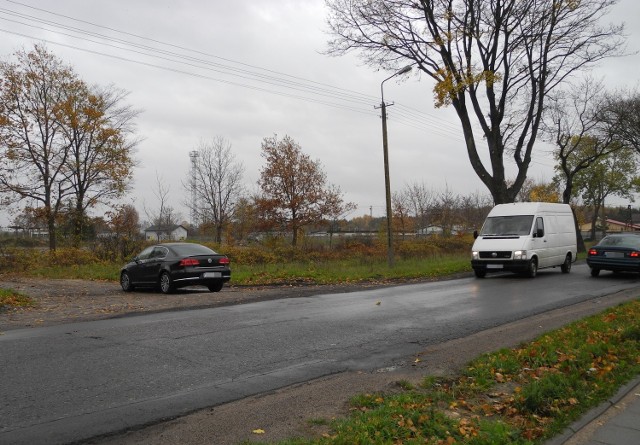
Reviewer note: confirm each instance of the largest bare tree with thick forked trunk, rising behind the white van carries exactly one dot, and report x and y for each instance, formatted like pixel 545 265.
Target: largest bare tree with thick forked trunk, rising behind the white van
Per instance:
pixel 494 61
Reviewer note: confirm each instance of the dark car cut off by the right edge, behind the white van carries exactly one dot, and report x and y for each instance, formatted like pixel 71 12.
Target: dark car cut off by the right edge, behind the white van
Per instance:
pixel 617 252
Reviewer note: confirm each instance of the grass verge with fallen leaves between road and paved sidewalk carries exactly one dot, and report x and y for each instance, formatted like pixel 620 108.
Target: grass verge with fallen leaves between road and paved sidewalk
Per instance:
pixel 523 395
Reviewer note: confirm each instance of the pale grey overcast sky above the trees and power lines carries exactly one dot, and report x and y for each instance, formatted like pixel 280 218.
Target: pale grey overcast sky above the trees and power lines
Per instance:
pixel 200 78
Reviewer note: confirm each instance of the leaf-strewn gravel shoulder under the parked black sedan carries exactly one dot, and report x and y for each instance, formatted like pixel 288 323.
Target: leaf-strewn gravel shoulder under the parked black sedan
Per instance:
pixel 69 301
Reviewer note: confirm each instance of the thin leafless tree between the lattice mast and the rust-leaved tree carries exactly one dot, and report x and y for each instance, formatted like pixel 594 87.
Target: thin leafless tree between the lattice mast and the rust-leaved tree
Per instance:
pixel 217 184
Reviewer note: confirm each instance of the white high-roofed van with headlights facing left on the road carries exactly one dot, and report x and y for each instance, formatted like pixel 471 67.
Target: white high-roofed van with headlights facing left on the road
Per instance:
pixel 524 237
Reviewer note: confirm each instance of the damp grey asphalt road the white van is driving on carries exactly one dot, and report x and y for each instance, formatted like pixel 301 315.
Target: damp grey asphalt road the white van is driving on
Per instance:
pixel 66 383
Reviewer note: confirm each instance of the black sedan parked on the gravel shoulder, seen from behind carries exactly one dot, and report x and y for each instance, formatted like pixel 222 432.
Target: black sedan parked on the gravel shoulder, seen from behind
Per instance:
pixel 172 265
